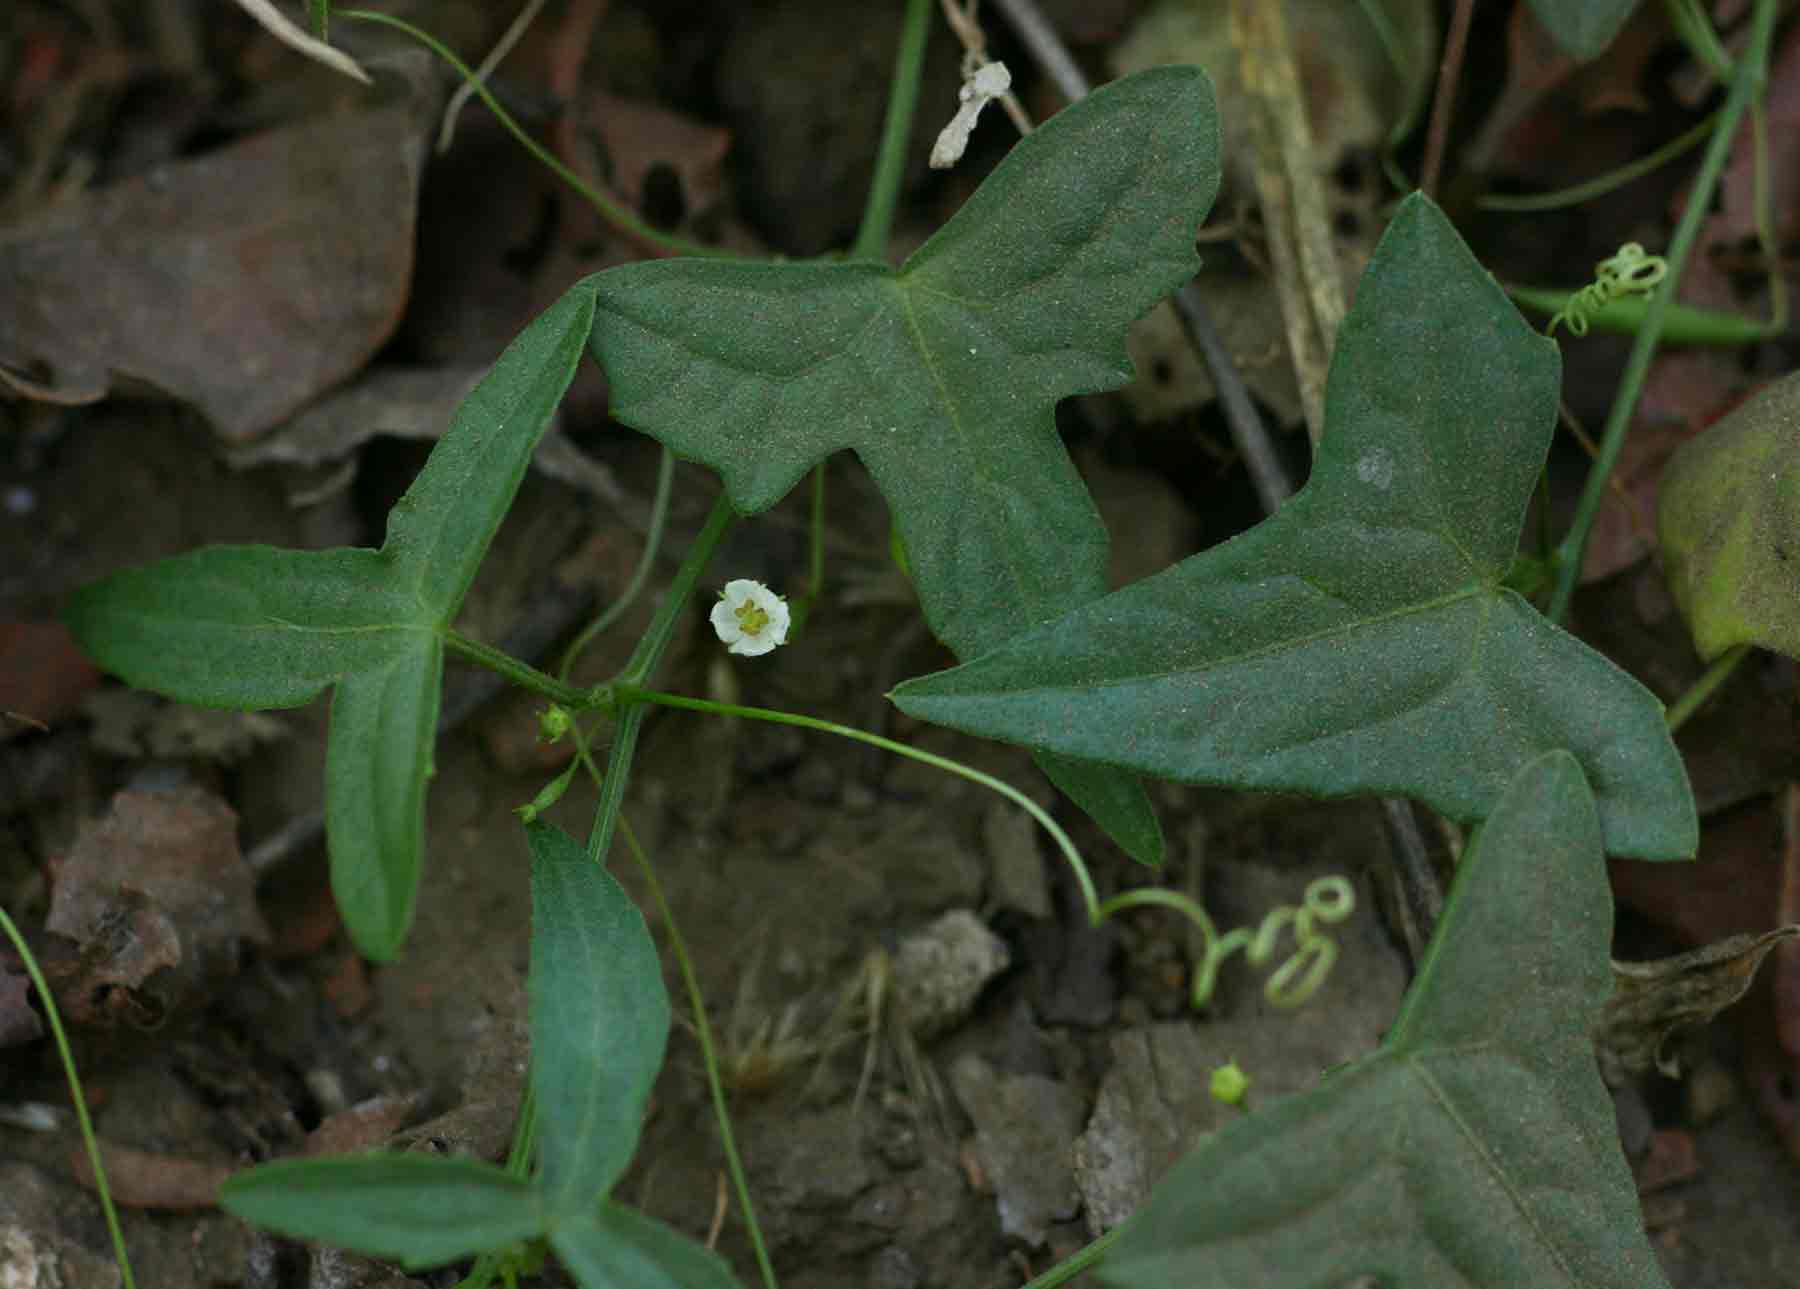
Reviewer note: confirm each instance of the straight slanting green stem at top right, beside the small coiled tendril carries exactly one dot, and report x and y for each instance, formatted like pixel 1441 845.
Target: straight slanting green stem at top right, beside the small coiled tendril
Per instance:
pixel 1747 80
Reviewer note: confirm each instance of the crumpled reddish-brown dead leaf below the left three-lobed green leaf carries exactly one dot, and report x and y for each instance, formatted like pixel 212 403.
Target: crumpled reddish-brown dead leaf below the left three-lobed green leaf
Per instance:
pixel 157 901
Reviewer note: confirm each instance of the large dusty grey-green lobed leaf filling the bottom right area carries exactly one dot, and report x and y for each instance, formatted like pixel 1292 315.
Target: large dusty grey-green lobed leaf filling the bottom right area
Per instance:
pixel 1479 1146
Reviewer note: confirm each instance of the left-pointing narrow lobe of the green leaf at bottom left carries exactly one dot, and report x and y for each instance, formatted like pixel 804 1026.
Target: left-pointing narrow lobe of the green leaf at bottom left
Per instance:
pixel 417 1209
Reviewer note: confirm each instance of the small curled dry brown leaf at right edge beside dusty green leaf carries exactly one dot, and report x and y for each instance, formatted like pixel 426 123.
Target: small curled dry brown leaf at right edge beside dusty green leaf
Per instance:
pixel 1657 998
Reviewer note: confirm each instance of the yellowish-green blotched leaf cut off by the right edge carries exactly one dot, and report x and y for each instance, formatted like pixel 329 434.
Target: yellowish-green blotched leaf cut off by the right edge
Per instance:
pixel 1729 519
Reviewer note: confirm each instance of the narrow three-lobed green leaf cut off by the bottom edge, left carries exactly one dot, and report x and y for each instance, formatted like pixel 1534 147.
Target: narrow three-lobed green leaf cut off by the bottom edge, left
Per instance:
pixel 600 1020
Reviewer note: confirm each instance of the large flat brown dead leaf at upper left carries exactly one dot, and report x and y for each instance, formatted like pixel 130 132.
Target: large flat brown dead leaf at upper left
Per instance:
pixel 246 282
